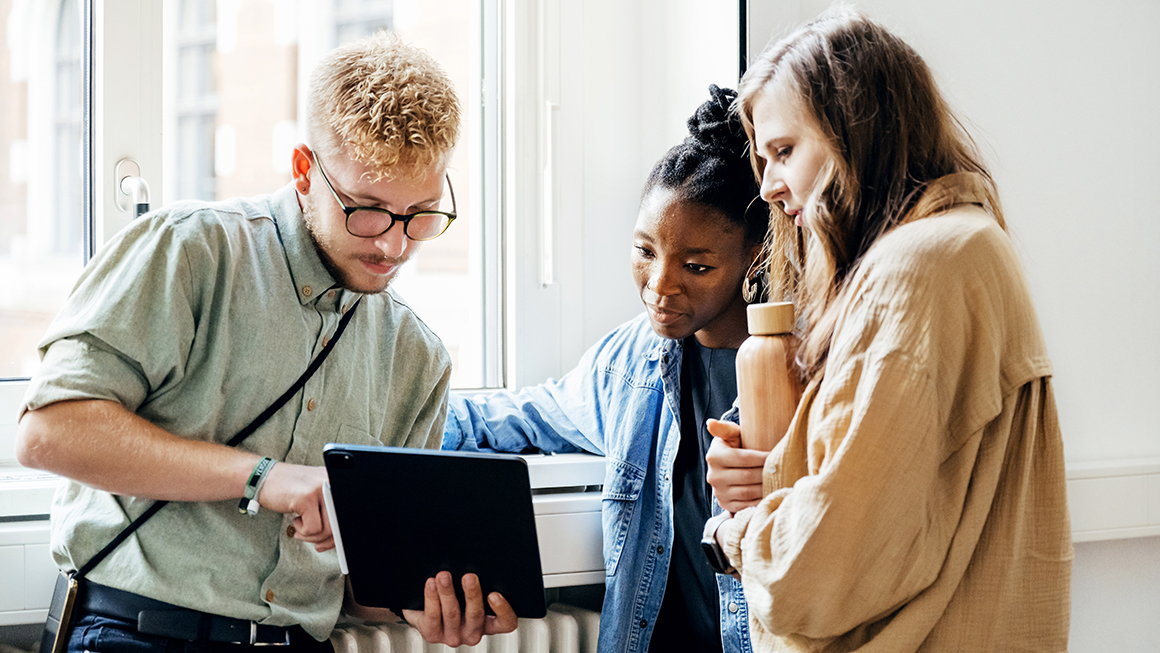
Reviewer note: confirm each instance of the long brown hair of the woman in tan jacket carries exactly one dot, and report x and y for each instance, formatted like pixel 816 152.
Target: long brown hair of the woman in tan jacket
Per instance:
pixel 874 101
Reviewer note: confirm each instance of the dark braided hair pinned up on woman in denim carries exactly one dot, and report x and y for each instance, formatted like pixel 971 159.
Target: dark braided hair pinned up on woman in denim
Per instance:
pixel 712 168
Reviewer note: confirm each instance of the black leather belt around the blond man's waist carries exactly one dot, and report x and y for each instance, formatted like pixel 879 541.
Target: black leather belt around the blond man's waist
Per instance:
pixel 166 620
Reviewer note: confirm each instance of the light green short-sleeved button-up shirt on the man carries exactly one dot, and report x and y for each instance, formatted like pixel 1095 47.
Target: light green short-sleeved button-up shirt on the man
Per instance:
pixel 198 318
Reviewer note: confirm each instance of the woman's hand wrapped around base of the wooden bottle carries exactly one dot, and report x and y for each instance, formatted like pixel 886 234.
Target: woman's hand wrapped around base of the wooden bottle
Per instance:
pixel 734 473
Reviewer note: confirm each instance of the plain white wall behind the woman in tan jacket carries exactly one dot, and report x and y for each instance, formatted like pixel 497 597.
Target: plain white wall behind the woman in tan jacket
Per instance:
pixel 1062 97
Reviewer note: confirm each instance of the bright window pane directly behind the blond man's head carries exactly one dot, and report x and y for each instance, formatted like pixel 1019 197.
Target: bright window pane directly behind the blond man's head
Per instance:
pixel 235 81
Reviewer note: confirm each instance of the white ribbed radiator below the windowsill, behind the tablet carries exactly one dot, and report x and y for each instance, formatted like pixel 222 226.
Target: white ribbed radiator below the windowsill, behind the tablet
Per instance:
pixel 567 629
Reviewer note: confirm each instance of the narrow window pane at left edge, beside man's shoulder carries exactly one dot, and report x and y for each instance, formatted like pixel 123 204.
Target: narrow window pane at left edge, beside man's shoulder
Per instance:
pixel 41 171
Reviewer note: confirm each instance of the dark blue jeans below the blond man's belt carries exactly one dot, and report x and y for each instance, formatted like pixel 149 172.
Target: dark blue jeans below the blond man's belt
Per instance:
pixel 98 634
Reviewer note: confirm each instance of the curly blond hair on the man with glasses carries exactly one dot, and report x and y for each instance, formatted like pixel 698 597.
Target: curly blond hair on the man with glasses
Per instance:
pixel 388 104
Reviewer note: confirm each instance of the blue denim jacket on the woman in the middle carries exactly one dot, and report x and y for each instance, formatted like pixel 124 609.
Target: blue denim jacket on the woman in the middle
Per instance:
pixel 621 402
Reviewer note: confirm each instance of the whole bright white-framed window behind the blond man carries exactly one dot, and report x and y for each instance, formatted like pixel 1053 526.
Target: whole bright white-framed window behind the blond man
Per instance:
pixel 207 97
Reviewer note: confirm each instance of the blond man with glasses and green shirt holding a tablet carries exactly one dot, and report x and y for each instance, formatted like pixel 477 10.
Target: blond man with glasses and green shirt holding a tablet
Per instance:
pixel 199 317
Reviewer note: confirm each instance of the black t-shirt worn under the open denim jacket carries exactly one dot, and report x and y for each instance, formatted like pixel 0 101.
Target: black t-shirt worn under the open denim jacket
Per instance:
pixel 690 614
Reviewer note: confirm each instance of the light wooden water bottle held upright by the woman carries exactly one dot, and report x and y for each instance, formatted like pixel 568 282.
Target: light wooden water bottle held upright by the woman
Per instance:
pixel 768 387
